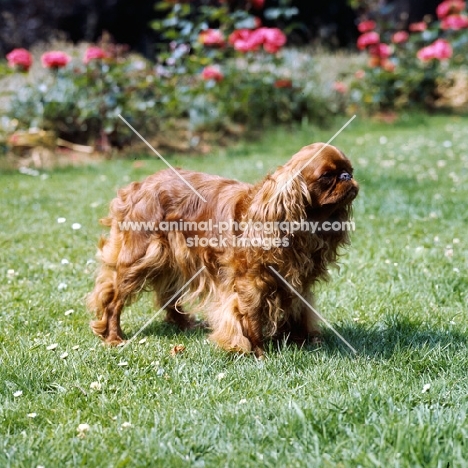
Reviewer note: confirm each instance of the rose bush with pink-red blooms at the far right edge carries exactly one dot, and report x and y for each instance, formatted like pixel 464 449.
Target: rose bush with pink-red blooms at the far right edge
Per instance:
pixel 406 68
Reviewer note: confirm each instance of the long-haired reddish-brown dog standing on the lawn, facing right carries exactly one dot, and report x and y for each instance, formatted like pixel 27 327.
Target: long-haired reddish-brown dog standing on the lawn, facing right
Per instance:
pixel 163 235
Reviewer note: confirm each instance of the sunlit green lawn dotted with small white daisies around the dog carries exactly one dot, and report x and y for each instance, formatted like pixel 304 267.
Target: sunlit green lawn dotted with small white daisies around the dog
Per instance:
pixel 399 298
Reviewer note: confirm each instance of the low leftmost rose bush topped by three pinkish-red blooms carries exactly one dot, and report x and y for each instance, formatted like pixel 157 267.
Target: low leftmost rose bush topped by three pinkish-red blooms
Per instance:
pixel 81 99
